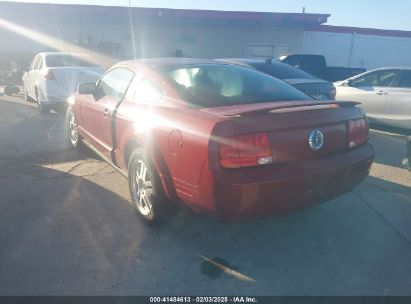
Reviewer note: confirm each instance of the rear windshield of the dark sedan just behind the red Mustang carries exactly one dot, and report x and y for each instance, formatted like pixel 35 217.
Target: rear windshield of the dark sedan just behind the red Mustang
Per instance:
pixel 281 71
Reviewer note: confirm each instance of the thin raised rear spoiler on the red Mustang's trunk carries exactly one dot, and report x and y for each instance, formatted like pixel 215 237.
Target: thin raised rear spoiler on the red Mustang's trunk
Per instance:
pixel 272 107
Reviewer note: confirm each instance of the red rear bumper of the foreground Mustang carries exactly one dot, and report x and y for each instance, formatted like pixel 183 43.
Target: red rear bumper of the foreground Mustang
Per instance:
pixel 283 188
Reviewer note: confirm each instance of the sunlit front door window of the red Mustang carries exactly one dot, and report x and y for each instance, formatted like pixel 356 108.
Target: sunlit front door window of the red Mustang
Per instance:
pixel 114 84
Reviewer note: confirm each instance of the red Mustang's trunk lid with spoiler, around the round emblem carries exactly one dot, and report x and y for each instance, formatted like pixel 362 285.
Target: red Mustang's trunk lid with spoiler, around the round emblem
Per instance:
pixel 290 124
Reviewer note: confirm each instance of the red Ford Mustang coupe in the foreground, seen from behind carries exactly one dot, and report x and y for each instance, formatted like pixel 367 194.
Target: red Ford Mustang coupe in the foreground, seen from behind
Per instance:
pixel 223 139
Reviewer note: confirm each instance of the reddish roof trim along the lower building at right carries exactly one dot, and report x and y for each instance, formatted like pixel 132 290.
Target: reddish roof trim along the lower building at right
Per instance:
pixel 360 30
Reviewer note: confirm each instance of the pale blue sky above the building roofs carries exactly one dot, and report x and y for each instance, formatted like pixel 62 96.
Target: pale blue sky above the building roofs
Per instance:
pixel 393 15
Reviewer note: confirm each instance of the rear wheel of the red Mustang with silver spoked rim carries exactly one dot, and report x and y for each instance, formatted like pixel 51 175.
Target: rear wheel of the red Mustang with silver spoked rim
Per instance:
pixel 152 207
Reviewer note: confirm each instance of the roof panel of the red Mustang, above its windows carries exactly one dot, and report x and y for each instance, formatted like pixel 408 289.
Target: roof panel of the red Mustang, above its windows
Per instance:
pixel 162 63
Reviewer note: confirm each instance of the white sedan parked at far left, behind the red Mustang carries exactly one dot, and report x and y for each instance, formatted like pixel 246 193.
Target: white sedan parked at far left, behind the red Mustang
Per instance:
pixel 53 76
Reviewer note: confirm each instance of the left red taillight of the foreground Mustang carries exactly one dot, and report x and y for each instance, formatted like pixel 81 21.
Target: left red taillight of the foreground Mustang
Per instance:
pixel 246 151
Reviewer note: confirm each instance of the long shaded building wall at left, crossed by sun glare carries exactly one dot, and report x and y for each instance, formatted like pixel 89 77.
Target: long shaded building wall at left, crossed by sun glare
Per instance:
pixel 119 33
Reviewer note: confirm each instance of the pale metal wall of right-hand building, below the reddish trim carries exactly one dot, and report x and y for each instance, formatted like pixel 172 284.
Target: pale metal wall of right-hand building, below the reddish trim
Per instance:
pixel 359 50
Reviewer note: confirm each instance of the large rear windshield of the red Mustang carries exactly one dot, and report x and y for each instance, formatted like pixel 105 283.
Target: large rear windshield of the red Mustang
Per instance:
pixel 221 85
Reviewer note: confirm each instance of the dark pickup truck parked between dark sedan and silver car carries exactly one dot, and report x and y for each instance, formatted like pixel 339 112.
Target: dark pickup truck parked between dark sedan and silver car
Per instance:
pixel 317 66
